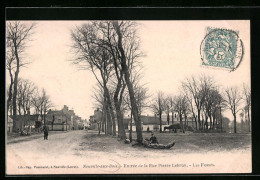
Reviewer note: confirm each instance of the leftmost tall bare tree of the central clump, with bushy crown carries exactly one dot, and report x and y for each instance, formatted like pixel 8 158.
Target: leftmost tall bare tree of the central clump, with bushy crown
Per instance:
pixel 91 56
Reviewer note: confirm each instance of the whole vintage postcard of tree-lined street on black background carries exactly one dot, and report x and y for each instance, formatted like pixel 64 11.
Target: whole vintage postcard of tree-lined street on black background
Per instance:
pixel 128 97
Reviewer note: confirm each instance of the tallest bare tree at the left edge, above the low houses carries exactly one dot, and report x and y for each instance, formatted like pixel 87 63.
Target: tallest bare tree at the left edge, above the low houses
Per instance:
pixel 17 36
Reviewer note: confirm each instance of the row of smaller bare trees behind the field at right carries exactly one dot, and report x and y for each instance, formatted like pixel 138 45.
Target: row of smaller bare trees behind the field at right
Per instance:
pixel 202 100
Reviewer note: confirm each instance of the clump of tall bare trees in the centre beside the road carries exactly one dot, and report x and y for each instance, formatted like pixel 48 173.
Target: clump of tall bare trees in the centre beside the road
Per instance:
pixel 110 49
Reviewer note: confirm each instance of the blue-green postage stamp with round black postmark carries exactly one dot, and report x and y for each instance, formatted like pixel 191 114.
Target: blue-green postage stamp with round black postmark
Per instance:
pixel 221 49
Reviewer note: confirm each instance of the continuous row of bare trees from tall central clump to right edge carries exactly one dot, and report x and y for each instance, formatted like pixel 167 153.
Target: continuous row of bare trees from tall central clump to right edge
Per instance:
pixel 110 50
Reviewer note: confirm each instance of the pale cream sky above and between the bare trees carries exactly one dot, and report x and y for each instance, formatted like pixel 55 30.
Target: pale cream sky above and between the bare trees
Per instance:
pixel 172 51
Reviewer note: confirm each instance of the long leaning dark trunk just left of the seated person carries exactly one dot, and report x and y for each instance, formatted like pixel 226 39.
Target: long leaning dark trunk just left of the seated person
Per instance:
pixel 129 85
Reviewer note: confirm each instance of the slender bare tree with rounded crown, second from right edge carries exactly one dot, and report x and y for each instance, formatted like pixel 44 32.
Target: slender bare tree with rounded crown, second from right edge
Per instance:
pixel 233 100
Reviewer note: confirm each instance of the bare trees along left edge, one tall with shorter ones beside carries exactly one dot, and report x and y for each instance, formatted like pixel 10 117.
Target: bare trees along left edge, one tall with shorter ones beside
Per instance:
pixel 22 94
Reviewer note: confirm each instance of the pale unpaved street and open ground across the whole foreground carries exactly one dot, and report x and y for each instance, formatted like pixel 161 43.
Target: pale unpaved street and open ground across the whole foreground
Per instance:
pixel 87 153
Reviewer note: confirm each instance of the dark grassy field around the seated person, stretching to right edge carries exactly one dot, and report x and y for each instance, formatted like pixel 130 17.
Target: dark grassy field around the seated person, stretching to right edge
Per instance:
pixel 187 142
